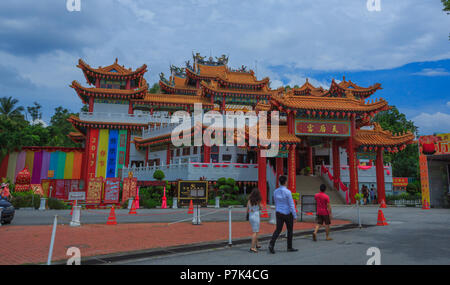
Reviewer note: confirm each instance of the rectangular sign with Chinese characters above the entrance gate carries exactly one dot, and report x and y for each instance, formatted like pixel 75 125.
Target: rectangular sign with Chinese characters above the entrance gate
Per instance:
pixel 322 128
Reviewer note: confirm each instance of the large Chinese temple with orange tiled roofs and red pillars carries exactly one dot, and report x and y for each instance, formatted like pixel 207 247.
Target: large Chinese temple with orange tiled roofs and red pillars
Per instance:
pixel 327 132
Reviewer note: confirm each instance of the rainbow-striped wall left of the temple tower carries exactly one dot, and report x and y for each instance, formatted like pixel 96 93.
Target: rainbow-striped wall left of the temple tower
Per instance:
pixel 43 163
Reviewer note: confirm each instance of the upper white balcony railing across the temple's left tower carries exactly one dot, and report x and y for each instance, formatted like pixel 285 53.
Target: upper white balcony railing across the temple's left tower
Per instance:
pixel 139 118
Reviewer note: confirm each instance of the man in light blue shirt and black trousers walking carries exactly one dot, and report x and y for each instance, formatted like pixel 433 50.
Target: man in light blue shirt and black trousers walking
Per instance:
pixel 285 213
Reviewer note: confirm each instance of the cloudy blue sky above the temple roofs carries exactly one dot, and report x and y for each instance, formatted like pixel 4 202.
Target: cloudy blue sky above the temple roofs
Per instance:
pixel 405 46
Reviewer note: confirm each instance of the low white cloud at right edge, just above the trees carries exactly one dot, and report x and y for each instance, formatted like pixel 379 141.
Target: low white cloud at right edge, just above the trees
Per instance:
pixel 430 123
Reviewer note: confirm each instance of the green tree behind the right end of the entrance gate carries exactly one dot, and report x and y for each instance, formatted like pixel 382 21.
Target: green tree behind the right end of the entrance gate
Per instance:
pixel 404 163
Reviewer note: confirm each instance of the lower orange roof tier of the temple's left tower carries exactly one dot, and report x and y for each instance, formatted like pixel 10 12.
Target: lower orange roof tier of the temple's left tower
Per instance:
pixel 121 94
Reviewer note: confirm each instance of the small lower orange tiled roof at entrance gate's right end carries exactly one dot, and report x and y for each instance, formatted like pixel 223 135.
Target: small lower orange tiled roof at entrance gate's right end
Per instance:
pixel 379 137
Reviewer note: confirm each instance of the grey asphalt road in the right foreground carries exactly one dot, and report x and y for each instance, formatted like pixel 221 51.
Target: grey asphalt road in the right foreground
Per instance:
pixel 414 236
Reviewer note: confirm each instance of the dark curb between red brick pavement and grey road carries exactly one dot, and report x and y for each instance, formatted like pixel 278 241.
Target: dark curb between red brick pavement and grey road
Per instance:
pixel 154 252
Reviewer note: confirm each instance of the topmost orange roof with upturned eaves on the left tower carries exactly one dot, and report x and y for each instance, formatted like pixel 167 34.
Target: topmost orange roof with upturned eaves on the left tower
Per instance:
pixel 113 71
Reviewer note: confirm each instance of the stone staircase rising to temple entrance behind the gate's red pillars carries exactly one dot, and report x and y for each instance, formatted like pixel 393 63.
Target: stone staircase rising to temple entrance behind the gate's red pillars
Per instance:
pixel 310 185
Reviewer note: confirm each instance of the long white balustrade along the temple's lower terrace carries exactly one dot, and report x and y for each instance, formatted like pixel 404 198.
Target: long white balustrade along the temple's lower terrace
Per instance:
pixel 195 170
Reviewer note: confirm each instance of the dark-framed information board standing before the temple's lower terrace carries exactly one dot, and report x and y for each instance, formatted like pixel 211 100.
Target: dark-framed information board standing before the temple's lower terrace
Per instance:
pixel 197 191
